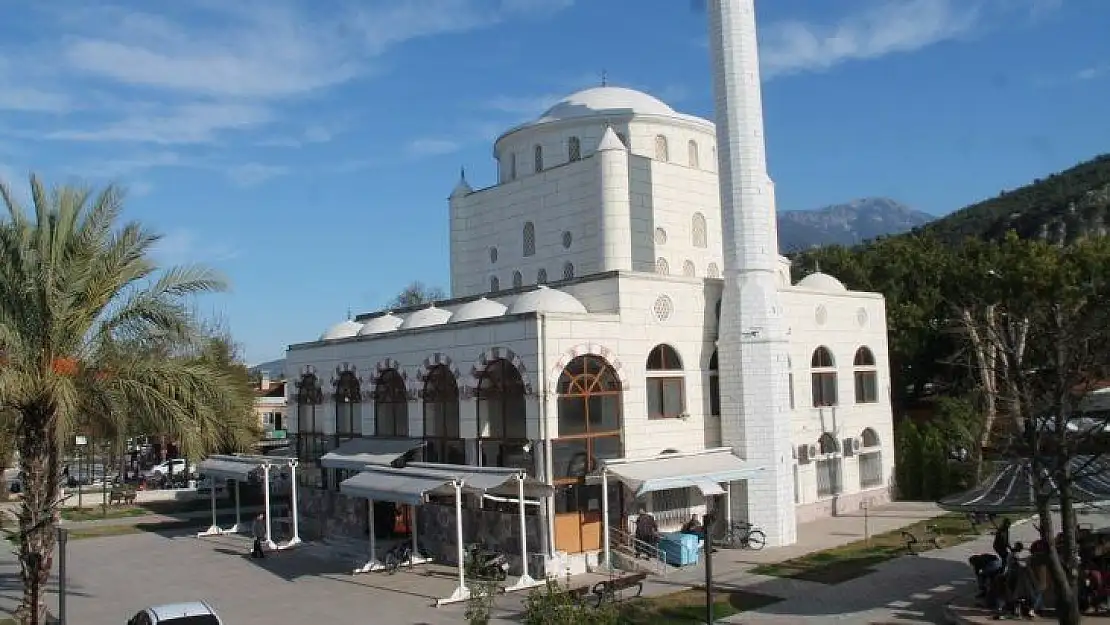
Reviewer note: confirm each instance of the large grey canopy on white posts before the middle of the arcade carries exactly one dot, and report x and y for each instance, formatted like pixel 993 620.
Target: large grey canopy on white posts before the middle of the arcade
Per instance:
pixel 417 481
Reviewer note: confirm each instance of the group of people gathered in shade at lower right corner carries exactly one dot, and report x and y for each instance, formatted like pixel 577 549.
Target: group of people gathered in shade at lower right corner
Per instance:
pixel 1014 580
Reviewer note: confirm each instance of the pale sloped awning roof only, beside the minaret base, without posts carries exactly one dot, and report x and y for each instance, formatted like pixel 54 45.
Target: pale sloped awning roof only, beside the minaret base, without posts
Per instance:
pixel 704 471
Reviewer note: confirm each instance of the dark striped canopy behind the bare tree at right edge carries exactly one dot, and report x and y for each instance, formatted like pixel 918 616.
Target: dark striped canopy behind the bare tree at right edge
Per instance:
pixel 1013 488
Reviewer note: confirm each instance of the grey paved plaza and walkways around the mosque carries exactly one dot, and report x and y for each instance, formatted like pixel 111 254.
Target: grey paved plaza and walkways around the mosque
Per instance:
pixel 113 578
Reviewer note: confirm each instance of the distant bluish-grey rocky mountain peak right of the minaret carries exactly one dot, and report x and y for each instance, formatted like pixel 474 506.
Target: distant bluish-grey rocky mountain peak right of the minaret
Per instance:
pixel 846 225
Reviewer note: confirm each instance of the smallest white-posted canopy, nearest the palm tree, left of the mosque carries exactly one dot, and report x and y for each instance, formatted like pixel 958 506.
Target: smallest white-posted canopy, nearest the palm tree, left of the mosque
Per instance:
pixel 240 469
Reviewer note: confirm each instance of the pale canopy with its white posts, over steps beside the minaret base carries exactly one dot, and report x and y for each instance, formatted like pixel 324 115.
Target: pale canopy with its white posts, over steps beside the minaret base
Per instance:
pixel 705 471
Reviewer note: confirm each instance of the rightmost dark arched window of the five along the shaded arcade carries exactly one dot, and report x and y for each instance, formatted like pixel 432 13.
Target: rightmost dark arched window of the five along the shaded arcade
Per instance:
pixel 503 434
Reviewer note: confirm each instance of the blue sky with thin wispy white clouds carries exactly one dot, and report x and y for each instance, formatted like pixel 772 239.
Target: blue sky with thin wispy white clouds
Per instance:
pixel 307 148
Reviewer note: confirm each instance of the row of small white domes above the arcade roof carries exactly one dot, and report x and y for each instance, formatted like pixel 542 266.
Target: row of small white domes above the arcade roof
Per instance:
pixel 541 300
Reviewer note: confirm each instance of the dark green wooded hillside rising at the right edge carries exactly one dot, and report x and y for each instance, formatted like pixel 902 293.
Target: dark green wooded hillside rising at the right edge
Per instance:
pixel 1062 208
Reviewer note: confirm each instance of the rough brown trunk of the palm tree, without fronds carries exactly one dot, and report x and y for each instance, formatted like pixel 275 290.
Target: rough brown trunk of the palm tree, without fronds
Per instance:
pixel 38 515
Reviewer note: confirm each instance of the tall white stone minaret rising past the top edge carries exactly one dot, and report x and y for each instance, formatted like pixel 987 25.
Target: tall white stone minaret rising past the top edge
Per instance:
pixel 753 335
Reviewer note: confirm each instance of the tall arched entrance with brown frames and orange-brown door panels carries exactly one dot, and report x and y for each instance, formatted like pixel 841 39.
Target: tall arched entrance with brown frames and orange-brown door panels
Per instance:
pixel 590 402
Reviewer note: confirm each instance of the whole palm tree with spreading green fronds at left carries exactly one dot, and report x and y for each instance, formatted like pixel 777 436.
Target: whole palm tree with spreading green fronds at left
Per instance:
pixel 93 330
